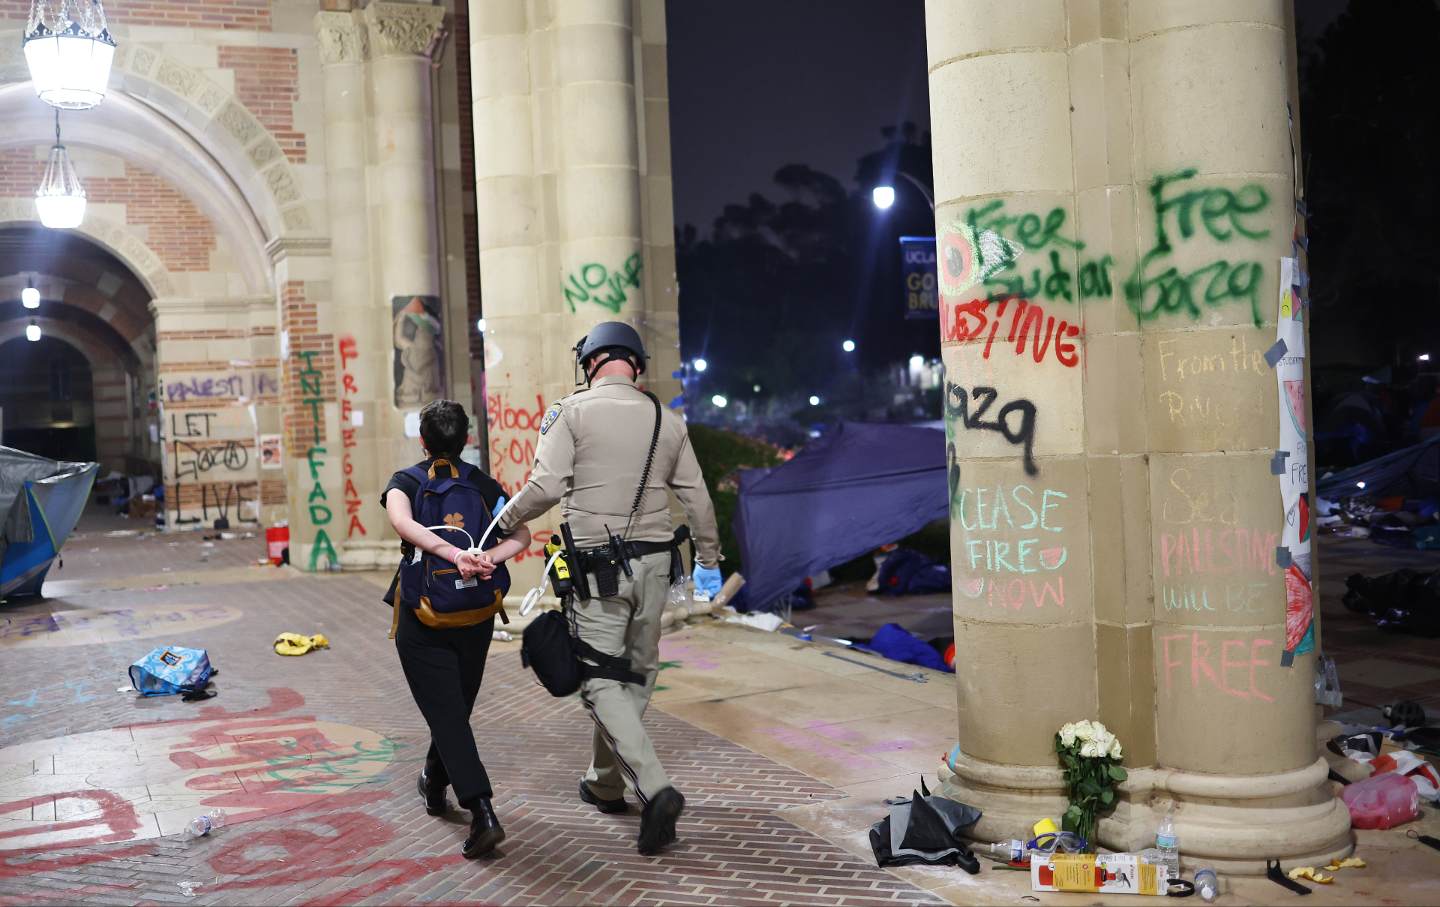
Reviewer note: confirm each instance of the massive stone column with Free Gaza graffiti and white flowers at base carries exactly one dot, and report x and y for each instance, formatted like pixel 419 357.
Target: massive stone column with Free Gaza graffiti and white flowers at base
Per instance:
pixel 1115 195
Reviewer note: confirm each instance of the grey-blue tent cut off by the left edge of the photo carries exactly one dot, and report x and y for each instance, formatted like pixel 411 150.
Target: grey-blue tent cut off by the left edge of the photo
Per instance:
pixel 41 502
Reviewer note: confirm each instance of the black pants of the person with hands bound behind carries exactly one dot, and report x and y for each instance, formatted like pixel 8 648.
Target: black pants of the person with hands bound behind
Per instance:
pixel 444 669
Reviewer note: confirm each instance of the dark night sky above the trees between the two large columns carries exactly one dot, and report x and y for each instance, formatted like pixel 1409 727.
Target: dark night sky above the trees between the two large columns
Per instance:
pixel 760 84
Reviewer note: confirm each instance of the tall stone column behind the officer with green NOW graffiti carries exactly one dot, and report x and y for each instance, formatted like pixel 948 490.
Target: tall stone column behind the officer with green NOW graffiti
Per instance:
pixel 571 222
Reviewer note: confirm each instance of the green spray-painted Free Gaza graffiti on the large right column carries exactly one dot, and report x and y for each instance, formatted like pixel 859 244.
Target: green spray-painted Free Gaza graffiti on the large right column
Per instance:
pixel 1212 215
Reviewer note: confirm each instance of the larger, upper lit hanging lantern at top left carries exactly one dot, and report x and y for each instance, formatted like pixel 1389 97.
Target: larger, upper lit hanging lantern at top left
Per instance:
pixel 70 51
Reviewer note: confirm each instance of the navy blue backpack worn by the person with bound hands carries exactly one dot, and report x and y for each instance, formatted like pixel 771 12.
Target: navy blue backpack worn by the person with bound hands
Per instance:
pixel 453 506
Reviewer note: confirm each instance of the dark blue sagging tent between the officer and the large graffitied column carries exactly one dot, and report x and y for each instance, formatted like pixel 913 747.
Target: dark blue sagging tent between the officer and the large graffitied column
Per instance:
pixel 845 496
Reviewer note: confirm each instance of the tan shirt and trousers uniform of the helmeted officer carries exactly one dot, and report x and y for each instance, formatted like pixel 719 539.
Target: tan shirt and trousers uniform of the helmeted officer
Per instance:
pixel 591 456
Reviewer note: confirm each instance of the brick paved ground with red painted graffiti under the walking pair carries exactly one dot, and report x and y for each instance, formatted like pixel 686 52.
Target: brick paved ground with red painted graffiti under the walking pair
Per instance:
pixel 345 843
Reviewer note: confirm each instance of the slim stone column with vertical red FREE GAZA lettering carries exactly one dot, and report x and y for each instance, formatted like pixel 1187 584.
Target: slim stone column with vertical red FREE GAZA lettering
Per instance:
pixel 364 342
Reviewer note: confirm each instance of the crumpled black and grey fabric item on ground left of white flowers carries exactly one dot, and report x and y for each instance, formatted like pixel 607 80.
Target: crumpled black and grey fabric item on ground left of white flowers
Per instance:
pixel 925 830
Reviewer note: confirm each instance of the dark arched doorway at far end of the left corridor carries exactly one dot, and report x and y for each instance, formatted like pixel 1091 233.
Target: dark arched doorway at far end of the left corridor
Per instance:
pixel 47 400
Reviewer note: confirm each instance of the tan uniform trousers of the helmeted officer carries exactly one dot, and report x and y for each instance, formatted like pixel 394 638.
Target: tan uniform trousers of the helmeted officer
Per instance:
pixel 629 627
